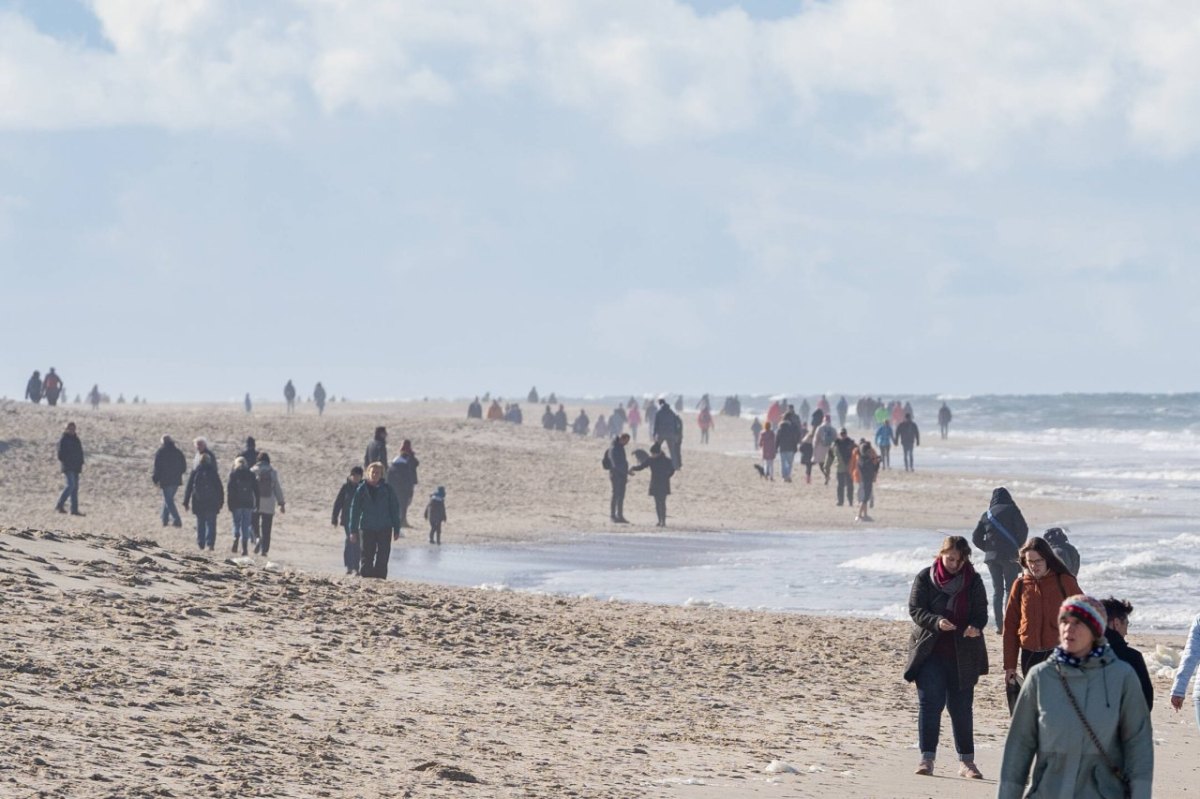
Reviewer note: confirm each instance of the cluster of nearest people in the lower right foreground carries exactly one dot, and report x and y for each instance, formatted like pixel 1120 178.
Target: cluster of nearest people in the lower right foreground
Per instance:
pixel 1081 705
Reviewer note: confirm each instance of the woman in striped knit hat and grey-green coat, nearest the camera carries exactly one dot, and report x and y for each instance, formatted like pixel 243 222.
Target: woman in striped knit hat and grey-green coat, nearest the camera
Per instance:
pixel 1081 726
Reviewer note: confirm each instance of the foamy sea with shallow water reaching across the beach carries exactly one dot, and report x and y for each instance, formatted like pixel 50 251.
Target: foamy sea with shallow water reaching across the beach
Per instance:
pixel 1137 452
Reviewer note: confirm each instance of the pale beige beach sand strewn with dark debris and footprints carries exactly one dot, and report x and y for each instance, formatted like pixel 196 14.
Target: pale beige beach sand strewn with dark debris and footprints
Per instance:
pixel 136 668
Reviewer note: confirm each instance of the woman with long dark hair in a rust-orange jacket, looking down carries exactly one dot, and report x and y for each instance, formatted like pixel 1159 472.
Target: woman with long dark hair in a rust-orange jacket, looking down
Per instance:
pixel 1031 614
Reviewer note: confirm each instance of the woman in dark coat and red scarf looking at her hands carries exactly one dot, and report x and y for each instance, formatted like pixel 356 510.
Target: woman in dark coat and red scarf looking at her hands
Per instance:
pixel 946 652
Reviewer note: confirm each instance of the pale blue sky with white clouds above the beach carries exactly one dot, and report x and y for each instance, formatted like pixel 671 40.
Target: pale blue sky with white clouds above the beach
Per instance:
pixel 201 199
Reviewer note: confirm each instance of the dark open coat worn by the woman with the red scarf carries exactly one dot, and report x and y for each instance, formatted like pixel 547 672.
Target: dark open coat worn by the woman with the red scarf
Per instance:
pixel 927 608
